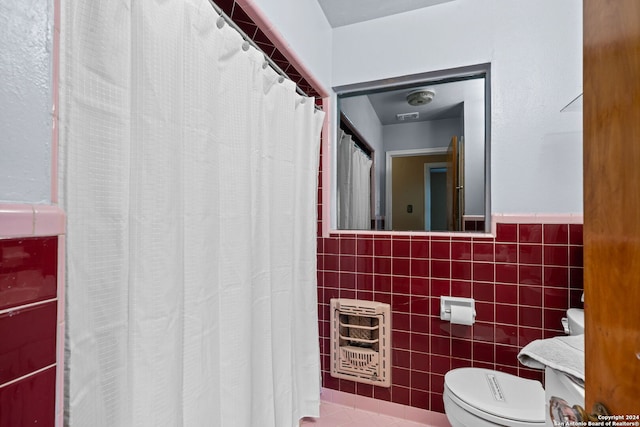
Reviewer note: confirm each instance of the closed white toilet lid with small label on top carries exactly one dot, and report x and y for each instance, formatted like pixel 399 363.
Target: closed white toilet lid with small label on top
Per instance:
pixel 499 394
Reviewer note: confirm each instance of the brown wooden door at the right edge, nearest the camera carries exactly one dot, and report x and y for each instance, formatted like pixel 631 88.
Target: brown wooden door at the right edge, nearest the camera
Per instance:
pixel 612 204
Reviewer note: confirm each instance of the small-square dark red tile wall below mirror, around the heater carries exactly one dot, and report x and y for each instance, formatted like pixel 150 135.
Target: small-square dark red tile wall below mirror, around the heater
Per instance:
pixel 523 280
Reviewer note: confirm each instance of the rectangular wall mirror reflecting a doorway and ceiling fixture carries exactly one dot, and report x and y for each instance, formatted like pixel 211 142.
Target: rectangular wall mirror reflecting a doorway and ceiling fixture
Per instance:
pixel 412 153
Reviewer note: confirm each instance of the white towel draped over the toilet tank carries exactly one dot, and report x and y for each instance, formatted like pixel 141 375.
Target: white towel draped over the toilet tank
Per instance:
pixel 564 353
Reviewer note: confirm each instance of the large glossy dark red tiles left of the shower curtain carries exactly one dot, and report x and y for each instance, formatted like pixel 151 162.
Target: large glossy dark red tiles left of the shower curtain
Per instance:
pixel 28 324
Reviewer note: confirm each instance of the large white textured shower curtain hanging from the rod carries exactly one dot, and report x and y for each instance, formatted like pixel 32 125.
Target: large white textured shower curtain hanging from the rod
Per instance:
pixel 188 176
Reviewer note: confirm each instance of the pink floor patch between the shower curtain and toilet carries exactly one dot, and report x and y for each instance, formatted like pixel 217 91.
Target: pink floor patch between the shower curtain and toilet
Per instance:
pixel 335 415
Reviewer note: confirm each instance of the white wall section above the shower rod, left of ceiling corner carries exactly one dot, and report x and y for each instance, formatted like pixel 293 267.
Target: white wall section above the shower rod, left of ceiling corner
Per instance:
pixel 305 28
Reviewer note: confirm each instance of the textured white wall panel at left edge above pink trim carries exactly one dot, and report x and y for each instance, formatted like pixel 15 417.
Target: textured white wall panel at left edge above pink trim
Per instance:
pixel 26 44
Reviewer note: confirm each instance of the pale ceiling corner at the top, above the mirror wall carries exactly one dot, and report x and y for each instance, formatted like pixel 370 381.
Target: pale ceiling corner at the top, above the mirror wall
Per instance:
pixel 345 12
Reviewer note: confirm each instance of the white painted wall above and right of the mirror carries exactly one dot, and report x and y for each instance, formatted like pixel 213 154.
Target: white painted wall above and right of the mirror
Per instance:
pixel 535 51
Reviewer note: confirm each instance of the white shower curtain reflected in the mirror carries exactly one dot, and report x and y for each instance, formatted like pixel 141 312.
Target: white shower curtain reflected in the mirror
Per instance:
pixel 354 185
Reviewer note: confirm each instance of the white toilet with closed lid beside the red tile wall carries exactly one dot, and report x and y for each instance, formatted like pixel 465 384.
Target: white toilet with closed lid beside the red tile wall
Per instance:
pixel 476 397
